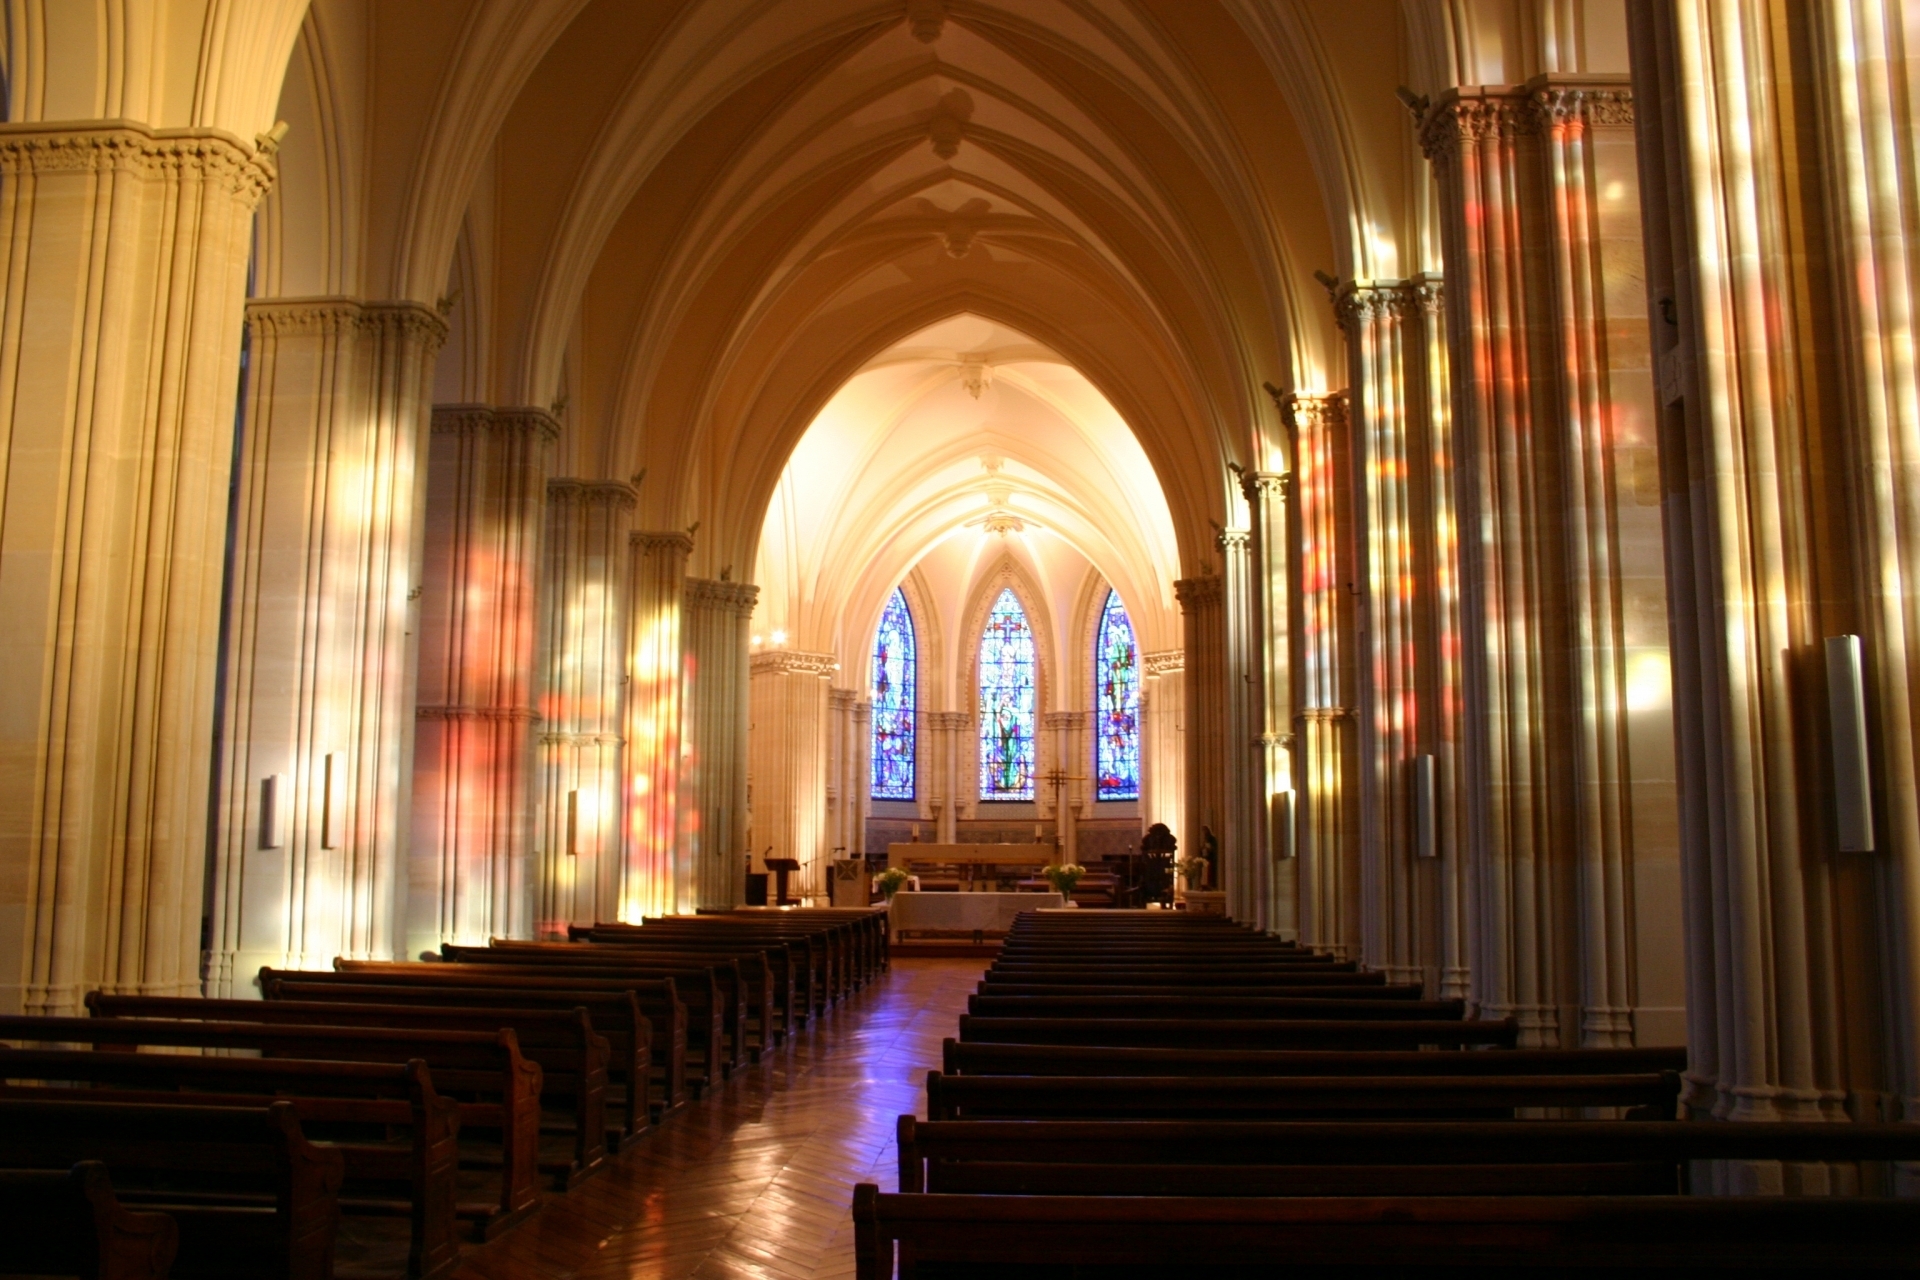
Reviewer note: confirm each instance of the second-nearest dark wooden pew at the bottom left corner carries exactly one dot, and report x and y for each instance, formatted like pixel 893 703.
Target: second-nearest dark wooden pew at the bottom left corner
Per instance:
pixel 249 1195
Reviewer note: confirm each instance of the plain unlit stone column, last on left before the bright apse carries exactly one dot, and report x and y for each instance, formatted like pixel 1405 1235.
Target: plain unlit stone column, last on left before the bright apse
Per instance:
pixel 715 763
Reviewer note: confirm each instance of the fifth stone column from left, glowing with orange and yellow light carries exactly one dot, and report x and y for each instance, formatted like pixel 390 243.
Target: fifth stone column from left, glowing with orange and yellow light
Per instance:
pixel 654 878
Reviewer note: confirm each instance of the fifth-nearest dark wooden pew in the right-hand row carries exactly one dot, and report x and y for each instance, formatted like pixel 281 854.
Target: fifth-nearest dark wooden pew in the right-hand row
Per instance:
pixel 1241 1033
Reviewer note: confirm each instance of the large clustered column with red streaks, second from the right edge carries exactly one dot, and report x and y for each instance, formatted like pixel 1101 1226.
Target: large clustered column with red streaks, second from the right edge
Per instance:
pixel 1554 412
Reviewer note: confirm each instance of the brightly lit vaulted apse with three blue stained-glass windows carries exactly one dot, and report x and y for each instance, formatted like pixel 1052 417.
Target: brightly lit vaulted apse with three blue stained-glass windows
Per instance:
pixel 965 481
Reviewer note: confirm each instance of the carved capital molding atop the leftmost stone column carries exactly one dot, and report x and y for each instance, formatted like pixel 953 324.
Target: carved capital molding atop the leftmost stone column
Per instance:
pixel 128 147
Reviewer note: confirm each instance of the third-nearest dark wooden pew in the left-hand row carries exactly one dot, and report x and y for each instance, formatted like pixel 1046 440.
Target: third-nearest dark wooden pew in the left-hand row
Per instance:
pixel 335 1102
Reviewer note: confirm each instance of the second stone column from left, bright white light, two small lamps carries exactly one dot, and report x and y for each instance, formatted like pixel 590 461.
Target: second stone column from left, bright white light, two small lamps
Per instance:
pixel 318 707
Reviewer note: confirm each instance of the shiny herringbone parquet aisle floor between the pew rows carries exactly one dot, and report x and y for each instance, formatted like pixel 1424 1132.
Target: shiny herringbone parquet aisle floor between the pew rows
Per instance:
pixel 757 1179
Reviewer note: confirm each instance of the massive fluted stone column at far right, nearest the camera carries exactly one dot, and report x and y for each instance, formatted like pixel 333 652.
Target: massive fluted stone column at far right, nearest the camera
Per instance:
pixel 1777 156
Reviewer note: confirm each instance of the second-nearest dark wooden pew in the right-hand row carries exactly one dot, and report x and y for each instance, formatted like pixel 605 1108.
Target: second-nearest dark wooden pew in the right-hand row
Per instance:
pixel 1483 1158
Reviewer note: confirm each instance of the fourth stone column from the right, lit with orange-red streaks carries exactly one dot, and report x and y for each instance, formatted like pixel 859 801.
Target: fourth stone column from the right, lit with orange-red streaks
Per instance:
pixel 1326 795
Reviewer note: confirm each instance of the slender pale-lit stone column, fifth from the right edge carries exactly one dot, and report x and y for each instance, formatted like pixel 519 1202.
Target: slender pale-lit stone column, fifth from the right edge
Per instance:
pixel 1270 655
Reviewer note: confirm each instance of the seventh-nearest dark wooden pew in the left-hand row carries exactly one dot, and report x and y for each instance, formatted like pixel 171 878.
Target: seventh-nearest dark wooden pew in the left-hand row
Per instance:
pixel 696 995
